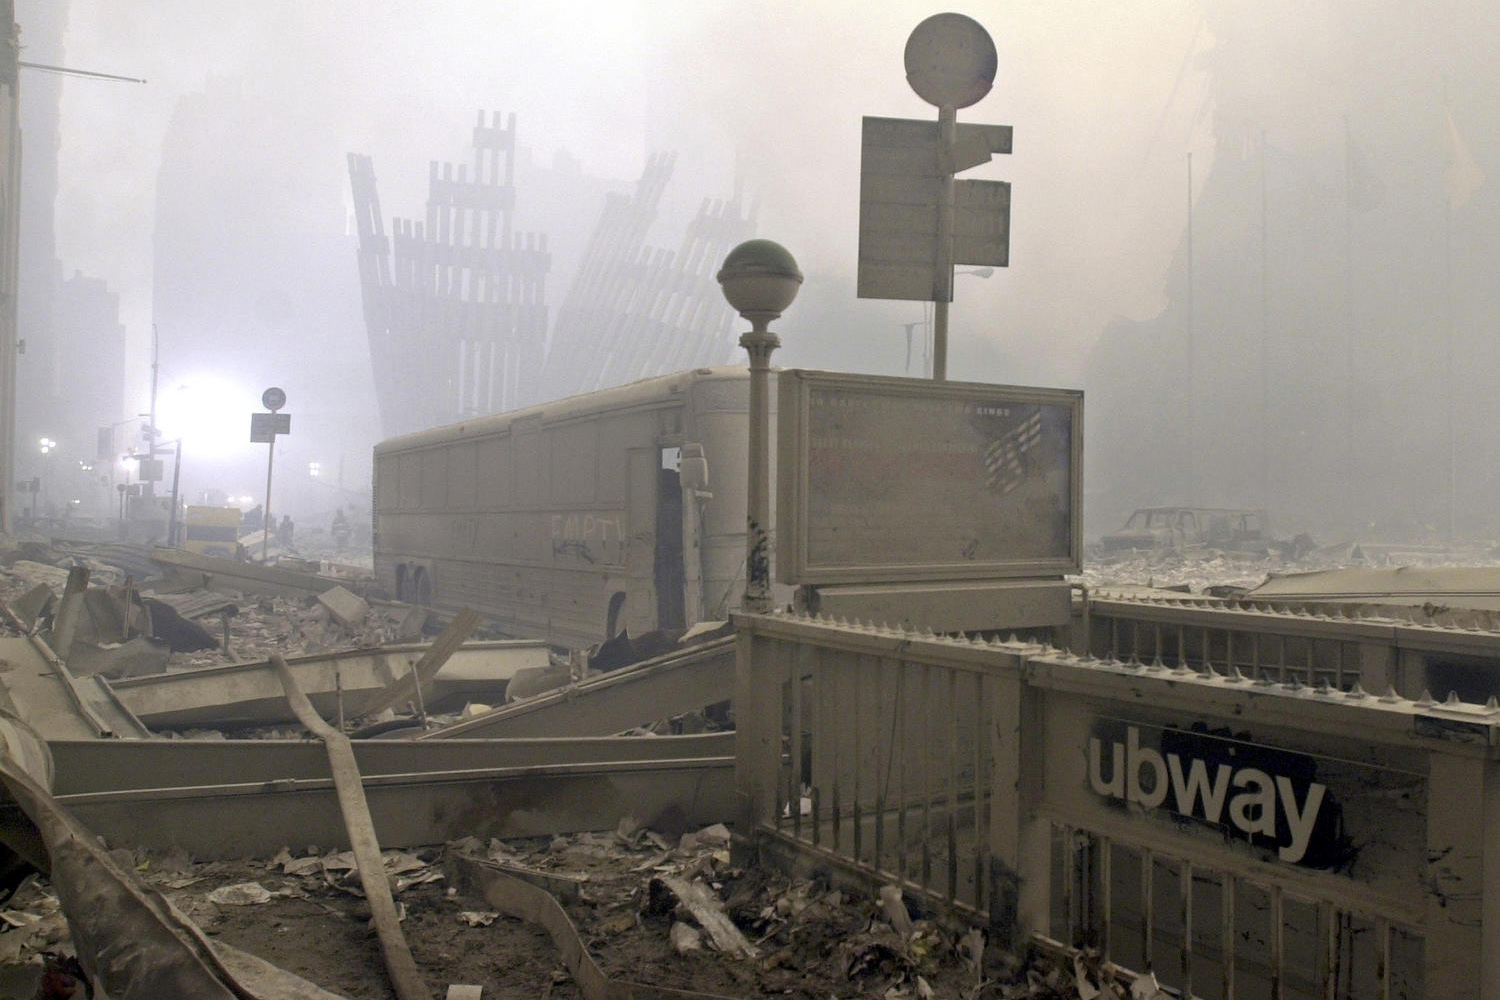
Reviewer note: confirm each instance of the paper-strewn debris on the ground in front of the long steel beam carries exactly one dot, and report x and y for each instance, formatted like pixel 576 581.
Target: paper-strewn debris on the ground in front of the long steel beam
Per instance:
pixel 676 914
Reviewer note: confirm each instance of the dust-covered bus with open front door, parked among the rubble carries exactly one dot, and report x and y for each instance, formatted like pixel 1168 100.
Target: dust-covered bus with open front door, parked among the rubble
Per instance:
pixel 575 519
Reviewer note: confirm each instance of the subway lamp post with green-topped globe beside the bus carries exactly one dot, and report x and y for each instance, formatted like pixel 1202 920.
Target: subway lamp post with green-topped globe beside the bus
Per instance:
pixel 760 280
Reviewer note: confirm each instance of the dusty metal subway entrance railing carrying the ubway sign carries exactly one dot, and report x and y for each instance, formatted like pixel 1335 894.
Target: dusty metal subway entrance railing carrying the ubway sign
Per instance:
pixel 956 768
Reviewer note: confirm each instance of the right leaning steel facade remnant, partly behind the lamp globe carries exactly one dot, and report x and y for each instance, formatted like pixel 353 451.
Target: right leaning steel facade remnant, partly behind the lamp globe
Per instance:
pixel 635 311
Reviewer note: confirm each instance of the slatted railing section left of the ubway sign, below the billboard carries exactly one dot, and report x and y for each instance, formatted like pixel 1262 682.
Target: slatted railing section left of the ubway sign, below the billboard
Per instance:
pixel 887 765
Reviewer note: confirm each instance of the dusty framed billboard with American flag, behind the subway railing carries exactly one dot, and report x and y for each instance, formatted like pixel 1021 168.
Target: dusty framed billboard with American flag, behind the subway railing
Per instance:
pixel 887 481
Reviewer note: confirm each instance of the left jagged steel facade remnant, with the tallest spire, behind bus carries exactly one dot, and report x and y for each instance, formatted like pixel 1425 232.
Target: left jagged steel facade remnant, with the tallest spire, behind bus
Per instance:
pixel 455 307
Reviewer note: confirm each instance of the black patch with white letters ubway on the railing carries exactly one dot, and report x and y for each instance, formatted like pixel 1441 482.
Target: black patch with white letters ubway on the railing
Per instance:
pixel 1268 797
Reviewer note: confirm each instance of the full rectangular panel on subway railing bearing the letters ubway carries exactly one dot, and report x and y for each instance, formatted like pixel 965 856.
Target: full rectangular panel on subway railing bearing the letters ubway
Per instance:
pixel 1304 800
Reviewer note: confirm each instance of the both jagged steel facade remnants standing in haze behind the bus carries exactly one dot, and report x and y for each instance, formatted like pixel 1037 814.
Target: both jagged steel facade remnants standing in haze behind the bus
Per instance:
pixel 467 292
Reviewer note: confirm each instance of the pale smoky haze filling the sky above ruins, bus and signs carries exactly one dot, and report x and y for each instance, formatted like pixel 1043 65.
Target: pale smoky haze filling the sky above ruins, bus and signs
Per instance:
pixel 251 109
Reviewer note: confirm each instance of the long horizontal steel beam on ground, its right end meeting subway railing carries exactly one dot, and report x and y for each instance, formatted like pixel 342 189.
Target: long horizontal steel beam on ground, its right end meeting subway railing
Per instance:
pixel 256 816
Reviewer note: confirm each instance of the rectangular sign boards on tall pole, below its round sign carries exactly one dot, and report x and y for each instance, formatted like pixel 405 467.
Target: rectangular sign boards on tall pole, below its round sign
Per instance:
pixel 904 167
